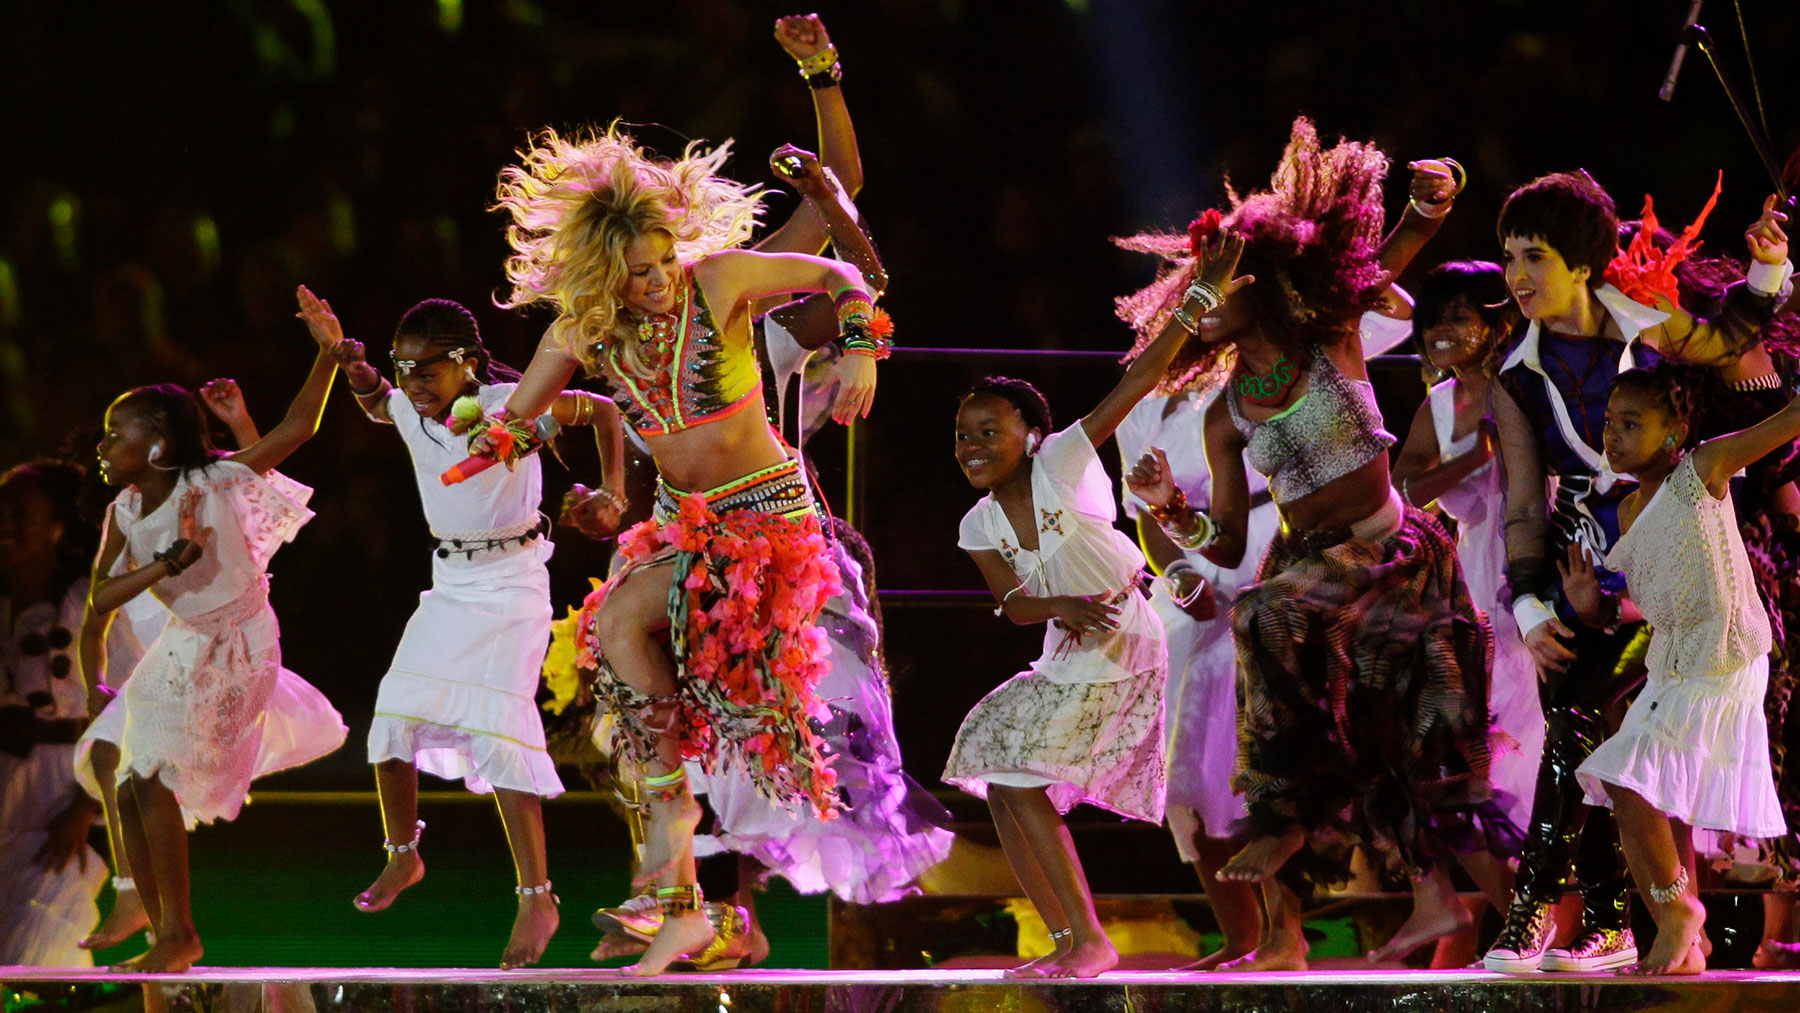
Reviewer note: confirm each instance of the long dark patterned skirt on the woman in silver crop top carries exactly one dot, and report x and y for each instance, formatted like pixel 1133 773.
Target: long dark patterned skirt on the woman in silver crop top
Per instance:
pixel 1363 695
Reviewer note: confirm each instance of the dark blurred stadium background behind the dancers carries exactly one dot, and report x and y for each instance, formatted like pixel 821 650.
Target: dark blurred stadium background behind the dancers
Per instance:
pixel 174 170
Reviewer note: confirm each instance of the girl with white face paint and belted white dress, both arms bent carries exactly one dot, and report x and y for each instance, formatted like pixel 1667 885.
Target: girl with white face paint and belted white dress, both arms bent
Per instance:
pixel 460 699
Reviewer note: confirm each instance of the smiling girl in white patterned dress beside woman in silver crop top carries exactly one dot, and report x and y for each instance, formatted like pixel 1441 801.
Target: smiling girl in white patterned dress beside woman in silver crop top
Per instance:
pixel 1086 722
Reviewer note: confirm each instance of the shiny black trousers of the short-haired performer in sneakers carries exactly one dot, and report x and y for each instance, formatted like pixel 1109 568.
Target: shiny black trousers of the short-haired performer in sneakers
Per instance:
pixel 1563 829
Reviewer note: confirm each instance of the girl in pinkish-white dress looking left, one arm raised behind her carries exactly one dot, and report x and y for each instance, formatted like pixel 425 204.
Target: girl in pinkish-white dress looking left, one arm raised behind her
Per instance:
pixel 197 532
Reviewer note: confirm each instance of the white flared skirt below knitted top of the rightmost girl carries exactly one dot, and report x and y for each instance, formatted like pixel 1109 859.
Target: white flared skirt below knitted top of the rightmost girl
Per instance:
pixel 1698 749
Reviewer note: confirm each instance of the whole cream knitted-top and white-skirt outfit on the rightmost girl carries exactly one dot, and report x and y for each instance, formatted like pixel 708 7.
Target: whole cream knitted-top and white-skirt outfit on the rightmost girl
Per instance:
pixel 1695 742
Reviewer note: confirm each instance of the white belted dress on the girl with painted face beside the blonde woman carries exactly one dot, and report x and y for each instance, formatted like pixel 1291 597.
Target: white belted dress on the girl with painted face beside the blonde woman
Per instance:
pixel 460 699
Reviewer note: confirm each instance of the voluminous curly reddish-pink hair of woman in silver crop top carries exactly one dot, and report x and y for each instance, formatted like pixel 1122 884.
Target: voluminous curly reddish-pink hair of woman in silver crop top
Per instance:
pixel 1313 240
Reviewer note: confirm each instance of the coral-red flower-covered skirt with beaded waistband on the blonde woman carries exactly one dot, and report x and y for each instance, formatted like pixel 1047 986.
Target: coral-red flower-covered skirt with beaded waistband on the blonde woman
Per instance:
pixel 751 573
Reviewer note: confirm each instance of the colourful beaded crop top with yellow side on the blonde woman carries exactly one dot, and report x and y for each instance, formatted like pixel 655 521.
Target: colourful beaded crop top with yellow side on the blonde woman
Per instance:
pixel 701 375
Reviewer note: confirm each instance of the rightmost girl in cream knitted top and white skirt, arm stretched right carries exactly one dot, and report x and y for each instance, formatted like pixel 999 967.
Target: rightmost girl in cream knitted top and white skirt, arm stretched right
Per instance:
pixel 1693 749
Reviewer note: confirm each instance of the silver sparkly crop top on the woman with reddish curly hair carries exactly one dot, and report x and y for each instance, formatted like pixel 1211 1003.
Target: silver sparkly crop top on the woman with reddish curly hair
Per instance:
pixel 1329 433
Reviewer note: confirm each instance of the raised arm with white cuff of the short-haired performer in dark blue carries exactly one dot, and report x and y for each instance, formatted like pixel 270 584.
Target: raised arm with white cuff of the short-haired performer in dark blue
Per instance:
pixel 1749 305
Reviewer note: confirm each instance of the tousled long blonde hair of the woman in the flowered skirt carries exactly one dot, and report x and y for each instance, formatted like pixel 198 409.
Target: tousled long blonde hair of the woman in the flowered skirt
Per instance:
pixel 577 204
